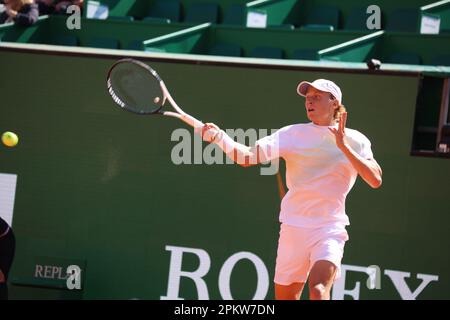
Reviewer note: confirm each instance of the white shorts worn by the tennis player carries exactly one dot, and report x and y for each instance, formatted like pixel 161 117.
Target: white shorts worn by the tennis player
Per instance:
pixel 300 248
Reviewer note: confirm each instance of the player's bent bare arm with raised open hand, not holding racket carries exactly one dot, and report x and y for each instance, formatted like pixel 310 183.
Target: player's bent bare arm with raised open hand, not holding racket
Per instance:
pixel 368 169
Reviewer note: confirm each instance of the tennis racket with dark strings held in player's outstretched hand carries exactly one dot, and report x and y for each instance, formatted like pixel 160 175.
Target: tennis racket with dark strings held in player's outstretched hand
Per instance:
pixel 137 88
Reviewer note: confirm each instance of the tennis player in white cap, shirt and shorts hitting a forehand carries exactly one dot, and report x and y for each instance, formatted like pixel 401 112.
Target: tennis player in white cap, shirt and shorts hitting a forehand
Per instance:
pixel 323 159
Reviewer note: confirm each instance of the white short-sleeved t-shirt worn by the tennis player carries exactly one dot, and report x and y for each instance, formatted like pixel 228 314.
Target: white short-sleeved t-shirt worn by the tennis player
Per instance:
pixel 318 175
